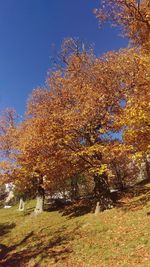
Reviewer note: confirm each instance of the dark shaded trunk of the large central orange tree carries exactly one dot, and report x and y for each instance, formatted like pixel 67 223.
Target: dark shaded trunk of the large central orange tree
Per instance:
pixel 102 192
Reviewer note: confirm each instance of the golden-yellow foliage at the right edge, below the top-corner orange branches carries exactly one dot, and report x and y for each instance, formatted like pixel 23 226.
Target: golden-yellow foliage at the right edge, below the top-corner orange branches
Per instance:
pixel 137 114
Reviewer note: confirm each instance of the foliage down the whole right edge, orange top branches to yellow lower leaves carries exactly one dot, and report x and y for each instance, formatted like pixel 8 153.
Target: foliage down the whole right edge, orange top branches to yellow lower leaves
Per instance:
pixel 134 18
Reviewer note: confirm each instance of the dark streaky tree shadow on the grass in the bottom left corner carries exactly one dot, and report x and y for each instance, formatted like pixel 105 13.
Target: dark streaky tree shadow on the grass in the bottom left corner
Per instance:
pixel 57 248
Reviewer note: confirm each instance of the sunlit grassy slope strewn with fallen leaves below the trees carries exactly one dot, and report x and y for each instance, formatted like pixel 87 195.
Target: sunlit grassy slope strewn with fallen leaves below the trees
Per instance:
pixel 116 237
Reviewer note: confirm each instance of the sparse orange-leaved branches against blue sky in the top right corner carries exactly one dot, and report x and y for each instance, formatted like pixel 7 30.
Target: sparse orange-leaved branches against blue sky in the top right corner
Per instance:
pixel 132 15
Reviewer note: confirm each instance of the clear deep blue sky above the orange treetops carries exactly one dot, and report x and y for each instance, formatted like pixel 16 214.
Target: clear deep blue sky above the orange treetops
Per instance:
pixel 28 30
